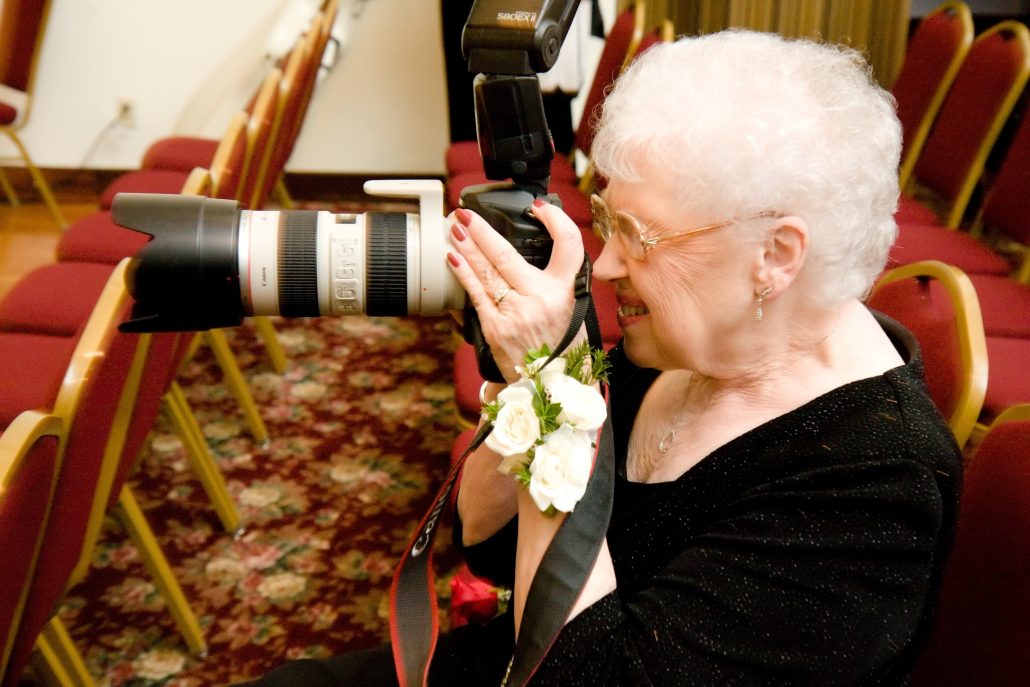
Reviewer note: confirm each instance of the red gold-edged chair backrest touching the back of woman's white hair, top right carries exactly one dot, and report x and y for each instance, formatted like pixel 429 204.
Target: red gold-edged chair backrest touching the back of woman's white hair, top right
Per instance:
pixel 933 59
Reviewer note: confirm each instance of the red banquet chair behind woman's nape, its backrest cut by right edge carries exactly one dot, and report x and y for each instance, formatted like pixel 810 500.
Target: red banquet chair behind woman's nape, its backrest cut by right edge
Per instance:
pixel 999 241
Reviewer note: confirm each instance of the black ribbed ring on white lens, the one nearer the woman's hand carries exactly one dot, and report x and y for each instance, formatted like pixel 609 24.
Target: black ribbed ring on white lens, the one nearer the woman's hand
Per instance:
pixel 387 279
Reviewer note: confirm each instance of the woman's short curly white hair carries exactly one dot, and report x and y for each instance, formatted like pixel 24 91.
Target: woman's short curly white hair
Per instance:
pixel 738 123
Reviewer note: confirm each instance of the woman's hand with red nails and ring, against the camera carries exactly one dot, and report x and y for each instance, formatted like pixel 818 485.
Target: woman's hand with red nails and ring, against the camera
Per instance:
pixel 521 307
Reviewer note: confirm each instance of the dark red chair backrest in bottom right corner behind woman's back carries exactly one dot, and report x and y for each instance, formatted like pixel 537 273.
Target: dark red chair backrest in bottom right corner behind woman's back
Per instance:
pixel 983 628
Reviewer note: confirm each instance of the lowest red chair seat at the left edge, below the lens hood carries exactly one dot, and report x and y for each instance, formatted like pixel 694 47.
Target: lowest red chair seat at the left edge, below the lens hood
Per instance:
pixel 33 369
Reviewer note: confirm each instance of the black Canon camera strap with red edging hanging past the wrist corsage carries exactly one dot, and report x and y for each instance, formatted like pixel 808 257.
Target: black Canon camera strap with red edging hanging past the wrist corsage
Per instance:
pixel 563 572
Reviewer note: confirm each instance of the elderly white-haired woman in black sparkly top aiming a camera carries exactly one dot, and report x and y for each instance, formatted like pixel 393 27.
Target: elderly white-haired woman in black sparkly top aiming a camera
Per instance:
pixel 786 492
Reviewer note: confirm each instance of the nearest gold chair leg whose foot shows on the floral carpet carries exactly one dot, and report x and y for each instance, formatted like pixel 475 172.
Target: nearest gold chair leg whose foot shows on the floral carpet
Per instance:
pixel 140 531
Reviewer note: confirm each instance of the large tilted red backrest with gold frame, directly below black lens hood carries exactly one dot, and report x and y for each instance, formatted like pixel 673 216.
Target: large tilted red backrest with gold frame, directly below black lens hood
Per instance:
pixel 91 398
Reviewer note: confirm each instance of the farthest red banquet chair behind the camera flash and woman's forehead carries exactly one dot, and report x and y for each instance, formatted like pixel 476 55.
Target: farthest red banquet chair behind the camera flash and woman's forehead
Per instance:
pixel 621 47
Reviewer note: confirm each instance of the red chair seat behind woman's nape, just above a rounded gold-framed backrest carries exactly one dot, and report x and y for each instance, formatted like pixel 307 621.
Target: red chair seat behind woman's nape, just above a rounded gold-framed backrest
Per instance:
pixel 919 243
